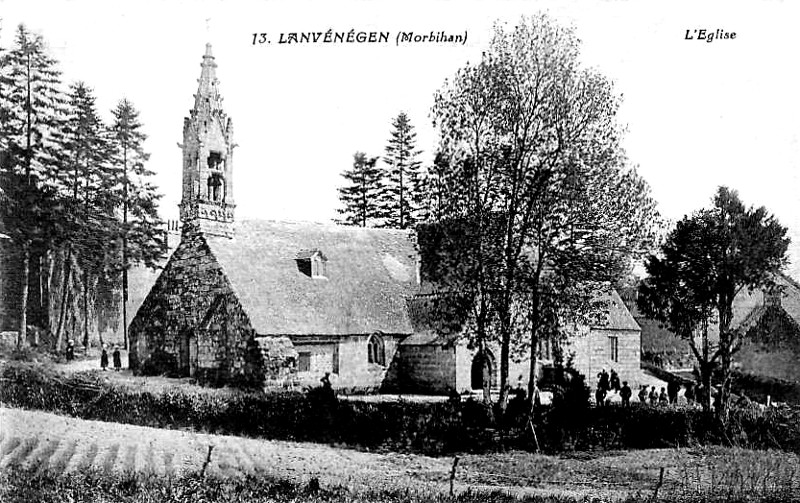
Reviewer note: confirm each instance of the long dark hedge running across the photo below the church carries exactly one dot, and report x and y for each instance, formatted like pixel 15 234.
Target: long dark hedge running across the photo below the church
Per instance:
pixel 432 428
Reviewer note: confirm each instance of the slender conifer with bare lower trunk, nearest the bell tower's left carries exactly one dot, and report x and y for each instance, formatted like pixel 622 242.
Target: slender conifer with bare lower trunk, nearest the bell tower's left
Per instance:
pixel 142 234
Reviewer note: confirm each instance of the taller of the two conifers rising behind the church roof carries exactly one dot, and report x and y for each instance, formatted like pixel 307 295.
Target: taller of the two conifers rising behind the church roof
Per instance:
pixel 401 189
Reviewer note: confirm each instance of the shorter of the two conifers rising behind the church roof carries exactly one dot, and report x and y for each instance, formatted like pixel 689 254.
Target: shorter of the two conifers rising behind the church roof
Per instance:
pixel 360 197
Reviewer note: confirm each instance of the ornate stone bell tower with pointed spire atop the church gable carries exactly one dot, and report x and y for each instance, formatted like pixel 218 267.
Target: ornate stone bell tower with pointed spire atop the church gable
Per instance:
pixel 207 200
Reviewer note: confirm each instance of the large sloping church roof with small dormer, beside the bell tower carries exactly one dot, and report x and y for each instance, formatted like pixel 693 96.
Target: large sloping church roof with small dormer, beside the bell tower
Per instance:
pixel 369 275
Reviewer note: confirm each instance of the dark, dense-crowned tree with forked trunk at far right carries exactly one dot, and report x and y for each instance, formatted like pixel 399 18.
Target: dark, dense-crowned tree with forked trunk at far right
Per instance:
pixel 705 262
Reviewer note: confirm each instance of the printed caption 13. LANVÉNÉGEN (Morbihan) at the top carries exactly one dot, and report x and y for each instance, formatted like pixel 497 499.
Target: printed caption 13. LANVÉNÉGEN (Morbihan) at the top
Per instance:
pixel 361 37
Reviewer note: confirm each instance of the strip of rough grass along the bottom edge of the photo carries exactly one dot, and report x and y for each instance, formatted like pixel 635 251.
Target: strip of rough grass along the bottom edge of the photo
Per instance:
pixel 19 485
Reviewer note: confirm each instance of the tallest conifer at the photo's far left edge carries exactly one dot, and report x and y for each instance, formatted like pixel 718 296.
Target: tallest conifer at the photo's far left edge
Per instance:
pixel 30 107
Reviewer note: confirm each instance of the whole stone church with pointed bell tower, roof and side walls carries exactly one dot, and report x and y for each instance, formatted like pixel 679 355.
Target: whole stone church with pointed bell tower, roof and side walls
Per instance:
pixel 292 301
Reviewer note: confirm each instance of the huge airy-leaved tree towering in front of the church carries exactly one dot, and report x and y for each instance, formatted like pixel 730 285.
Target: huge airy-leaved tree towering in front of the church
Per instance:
pixel 545 161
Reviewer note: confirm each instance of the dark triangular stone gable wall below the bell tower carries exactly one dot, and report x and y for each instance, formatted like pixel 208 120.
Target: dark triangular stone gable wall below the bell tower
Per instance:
pixel 192 298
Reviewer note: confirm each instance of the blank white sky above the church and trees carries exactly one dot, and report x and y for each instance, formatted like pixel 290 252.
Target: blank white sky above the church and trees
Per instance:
pixel 698 114
